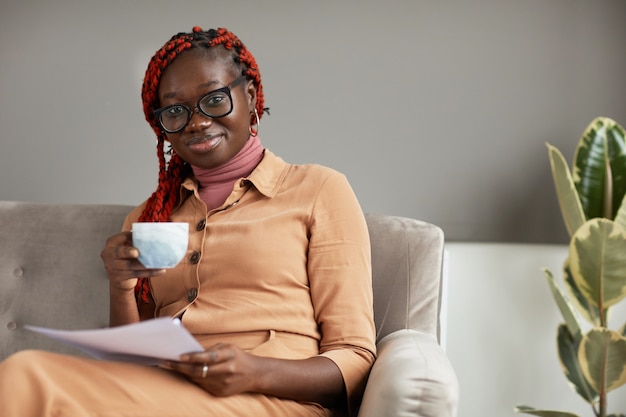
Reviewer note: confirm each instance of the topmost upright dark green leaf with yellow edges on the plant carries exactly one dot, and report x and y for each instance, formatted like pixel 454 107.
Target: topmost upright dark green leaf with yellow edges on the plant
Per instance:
pixel 599 168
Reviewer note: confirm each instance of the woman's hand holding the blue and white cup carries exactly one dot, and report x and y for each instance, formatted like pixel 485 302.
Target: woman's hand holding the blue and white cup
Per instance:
pixel 121 262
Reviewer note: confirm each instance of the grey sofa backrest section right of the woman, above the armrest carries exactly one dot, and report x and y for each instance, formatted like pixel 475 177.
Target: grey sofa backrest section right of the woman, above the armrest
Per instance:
pixel 407 263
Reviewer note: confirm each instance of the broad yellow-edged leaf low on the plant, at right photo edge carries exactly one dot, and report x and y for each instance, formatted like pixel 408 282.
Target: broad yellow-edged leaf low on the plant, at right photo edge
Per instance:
pixel 602 356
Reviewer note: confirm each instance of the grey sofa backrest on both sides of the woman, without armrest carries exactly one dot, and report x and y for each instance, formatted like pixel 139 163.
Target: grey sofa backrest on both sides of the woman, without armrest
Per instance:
pixel 51 274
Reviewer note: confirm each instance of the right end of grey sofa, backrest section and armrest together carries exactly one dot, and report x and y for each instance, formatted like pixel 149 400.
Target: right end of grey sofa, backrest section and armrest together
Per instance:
pixel 412 375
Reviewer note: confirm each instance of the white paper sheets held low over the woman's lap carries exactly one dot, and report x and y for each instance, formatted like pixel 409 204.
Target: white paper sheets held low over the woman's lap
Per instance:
pixel 148 342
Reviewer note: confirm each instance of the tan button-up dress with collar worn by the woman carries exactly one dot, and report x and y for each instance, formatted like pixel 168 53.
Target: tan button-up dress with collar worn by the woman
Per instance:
pixel 282 269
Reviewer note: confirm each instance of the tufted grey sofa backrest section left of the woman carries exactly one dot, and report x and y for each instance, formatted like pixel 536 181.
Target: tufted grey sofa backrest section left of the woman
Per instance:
pixel 51 273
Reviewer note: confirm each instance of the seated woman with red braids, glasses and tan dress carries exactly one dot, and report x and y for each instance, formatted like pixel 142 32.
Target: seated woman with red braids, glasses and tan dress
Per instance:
pixel 276 285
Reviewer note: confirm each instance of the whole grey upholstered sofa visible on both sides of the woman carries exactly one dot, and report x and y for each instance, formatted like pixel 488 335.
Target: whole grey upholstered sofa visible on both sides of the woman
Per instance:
pixel 50 269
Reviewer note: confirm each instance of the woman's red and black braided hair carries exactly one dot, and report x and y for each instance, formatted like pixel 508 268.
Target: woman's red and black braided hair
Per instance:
pixel 161 203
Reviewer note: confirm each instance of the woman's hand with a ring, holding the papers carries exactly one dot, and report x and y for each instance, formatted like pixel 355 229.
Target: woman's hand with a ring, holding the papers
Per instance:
pixel 221 370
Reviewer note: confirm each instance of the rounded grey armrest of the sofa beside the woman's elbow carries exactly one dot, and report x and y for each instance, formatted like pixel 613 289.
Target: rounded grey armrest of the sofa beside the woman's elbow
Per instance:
pixel 412 376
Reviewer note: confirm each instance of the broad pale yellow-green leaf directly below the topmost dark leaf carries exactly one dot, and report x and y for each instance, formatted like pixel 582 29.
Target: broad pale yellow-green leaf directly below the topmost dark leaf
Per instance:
pixel 597 254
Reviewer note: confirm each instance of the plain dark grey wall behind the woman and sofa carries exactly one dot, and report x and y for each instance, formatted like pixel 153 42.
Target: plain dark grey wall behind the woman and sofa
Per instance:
pixel 437 110
